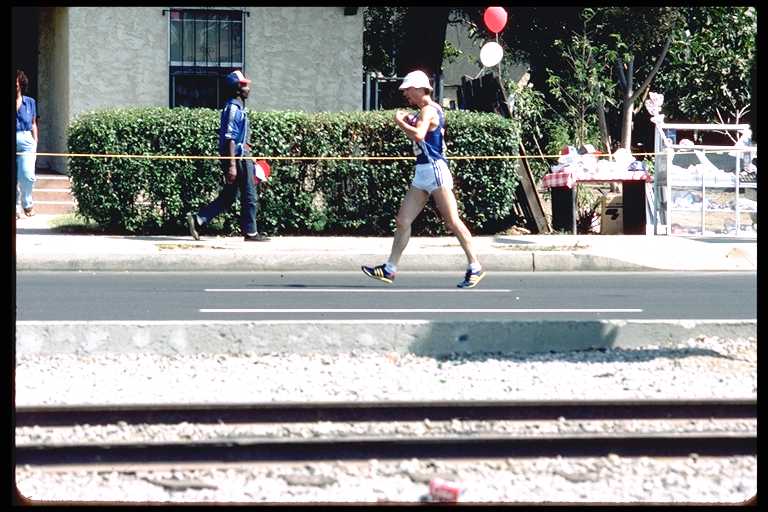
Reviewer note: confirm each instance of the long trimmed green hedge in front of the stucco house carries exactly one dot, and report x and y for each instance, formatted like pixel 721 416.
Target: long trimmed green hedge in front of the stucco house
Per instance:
pixel 330 197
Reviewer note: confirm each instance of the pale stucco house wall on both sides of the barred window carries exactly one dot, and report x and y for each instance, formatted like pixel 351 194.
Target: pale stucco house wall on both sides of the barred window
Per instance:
pixel 300 58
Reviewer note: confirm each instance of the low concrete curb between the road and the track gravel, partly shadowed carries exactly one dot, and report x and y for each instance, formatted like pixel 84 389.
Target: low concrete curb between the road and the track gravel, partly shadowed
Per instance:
pixel 420 337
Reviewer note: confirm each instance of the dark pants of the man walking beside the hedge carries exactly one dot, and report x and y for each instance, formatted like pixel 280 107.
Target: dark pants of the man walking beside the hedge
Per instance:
pixel 242 187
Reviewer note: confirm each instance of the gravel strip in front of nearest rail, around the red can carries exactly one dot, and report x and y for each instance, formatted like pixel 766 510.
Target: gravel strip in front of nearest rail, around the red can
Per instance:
pixel 605 479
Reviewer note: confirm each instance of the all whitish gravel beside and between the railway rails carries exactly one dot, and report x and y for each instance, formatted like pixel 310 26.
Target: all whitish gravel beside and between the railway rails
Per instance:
pixel 705 367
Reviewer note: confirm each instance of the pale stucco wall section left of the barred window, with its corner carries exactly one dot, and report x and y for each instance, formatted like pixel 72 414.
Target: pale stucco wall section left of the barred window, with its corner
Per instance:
pixel 92 58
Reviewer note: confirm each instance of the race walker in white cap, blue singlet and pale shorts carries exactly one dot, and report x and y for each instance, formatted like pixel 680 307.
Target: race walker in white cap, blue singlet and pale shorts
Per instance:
pixel 426 130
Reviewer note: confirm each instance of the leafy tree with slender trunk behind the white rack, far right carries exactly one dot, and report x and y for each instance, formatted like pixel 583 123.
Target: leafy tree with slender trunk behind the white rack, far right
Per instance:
pixel 701 58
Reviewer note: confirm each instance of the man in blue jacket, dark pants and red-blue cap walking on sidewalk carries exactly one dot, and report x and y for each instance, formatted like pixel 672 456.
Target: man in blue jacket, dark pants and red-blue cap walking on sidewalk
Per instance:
pixel 234 135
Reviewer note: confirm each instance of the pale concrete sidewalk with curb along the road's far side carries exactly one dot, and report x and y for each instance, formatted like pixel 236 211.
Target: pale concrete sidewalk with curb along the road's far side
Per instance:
pixel 38 247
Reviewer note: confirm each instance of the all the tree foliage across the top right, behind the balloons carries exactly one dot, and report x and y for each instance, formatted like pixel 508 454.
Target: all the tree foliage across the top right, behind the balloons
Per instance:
pixel 626 50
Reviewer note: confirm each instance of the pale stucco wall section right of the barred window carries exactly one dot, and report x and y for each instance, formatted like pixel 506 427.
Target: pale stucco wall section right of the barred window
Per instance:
pixel 304 58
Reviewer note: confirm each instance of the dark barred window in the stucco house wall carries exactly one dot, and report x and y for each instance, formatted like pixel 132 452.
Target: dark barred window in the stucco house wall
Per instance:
pixel 204 46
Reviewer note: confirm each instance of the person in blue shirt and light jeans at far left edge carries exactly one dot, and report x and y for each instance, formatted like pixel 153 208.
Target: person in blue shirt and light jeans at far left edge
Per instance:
pixel 26 142
